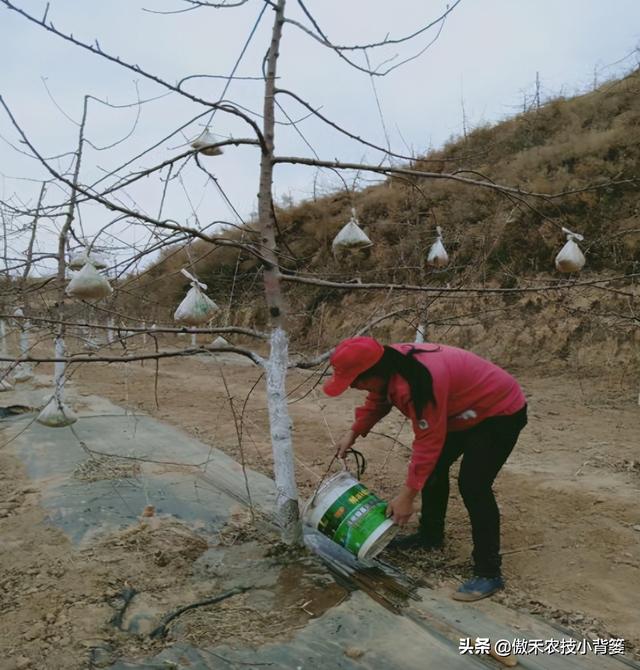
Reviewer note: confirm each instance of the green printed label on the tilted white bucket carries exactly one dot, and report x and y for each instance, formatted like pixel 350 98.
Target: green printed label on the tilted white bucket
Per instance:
pixel 353 517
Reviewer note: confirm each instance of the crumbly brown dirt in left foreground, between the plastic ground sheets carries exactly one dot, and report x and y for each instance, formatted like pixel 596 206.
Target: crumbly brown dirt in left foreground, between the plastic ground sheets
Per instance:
pixel 65 607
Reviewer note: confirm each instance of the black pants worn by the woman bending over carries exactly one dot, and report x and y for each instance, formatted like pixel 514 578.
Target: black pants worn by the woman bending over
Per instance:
pixel 484 449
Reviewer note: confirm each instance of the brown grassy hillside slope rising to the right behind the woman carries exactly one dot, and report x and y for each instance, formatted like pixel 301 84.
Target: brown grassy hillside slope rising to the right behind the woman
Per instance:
pixel 582 145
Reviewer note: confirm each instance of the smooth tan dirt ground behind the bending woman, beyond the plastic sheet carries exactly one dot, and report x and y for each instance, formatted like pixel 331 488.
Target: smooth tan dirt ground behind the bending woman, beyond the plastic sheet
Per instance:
pixel 568 494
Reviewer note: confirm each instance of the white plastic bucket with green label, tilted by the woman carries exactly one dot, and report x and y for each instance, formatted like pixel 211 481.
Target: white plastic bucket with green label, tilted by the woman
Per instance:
pixel 348 513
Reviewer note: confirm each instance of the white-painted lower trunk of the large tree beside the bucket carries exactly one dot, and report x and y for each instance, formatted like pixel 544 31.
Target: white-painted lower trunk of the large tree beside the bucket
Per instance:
pixel 280 427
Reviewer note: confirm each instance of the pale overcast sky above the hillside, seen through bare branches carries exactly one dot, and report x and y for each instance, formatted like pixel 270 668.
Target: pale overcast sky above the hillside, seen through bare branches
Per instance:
pixel 486 56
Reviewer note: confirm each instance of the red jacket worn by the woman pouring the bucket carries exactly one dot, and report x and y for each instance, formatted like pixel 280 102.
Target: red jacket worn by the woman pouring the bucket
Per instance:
pixel 467 388
